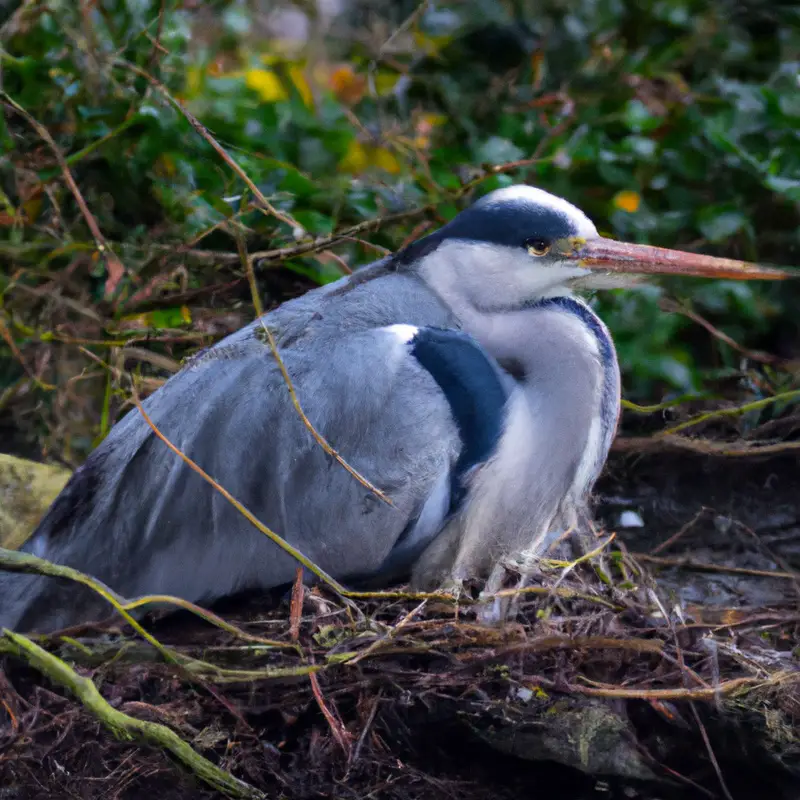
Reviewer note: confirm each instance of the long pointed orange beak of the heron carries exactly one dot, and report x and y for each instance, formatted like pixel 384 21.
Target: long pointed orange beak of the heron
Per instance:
pixel 611 256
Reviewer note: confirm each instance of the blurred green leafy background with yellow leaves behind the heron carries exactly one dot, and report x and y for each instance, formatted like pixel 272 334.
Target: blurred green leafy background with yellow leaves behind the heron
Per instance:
pixel 671 123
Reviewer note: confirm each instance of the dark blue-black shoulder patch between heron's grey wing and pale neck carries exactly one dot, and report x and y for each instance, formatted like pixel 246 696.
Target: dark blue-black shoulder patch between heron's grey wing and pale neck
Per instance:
pixel 470 383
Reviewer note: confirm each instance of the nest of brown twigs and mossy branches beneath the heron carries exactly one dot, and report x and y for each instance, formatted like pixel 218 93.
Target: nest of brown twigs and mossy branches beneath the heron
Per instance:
pixel 408 696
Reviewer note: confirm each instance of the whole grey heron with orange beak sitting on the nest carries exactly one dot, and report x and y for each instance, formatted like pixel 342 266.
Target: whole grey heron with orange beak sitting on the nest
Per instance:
pixel 460 375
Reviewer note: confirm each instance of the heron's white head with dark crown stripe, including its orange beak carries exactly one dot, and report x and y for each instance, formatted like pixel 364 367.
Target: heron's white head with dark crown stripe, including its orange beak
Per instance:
pixel 519 244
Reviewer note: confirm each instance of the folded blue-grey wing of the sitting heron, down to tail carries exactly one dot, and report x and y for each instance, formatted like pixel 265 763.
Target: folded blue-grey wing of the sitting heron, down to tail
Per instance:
pixel 141 521
